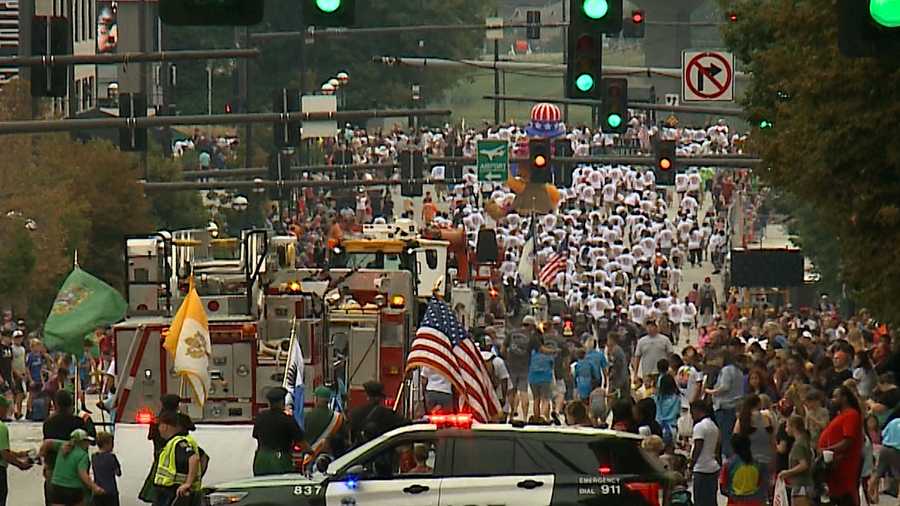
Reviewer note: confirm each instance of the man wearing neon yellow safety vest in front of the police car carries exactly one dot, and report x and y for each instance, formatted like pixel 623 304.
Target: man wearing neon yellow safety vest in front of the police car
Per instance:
pixel 178 477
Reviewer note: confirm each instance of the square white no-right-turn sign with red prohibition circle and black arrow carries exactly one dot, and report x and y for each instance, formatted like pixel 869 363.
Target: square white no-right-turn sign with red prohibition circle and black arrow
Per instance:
pixel 707 76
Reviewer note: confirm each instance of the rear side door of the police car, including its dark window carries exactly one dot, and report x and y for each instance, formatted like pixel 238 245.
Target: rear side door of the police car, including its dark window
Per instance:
pixel 494 471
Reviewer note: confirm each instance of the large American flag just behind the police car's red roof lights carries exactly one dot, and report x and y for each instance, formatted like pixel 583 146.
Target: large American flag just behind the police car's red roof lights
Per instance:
pixel 441 343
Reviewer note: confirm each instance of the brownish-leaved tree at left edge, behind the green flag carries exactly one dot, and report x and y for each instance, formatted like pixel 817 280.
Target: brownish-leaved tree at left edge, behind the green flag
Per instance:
pixel 82 197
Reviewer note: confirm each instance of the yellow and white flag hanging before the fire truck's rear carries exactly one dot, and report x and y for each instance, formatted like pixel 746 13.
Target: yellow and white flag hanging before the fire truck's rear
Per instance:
pixel 189 345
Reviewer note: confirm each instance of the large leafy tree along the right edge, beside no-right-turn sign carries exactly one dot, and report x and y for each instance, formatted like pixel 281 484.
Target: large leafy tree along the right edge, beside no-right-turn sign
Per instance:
pixel 832 146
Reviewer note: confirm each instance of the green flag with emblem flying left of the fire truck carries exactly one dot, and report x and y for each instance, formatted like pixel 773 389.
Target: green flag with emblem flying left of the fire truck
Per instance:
pixel 82 304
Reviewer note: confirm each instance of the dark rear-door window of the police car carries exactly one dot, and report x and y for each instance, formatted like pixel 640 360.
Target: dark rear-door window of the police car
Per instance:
pixel 475 456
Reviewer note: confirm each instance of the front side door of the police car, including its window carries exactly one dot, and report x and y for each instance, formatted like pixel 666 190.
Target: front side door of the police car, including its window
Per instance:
pixel 404 471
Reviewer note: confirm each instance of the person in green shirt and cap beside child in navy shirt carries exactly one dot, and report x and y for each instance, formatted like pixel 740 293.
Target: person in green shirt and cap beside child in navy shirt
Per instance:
pixel 71 480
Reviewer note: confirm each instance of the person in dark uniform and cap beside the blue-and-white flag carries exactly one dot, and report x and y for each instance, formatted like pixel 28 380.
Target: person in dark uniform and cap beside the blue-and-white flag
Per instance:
pixel 275 432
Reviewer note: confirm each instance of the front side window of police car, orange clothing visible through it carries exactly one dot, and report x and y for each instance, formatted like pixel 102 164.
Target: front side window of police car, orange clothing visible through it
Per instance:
pixel 412 457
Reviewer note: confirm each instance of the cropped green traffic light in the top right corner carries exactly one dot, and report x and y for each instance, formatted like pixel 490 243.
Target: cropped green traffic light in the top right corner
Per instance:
pixel 869 28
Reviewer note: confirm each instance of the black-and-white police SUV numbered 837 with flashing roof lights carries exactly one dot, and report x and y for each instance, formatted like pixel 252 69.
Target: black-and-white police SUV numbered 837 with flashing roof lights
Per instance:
pixel 450 461
